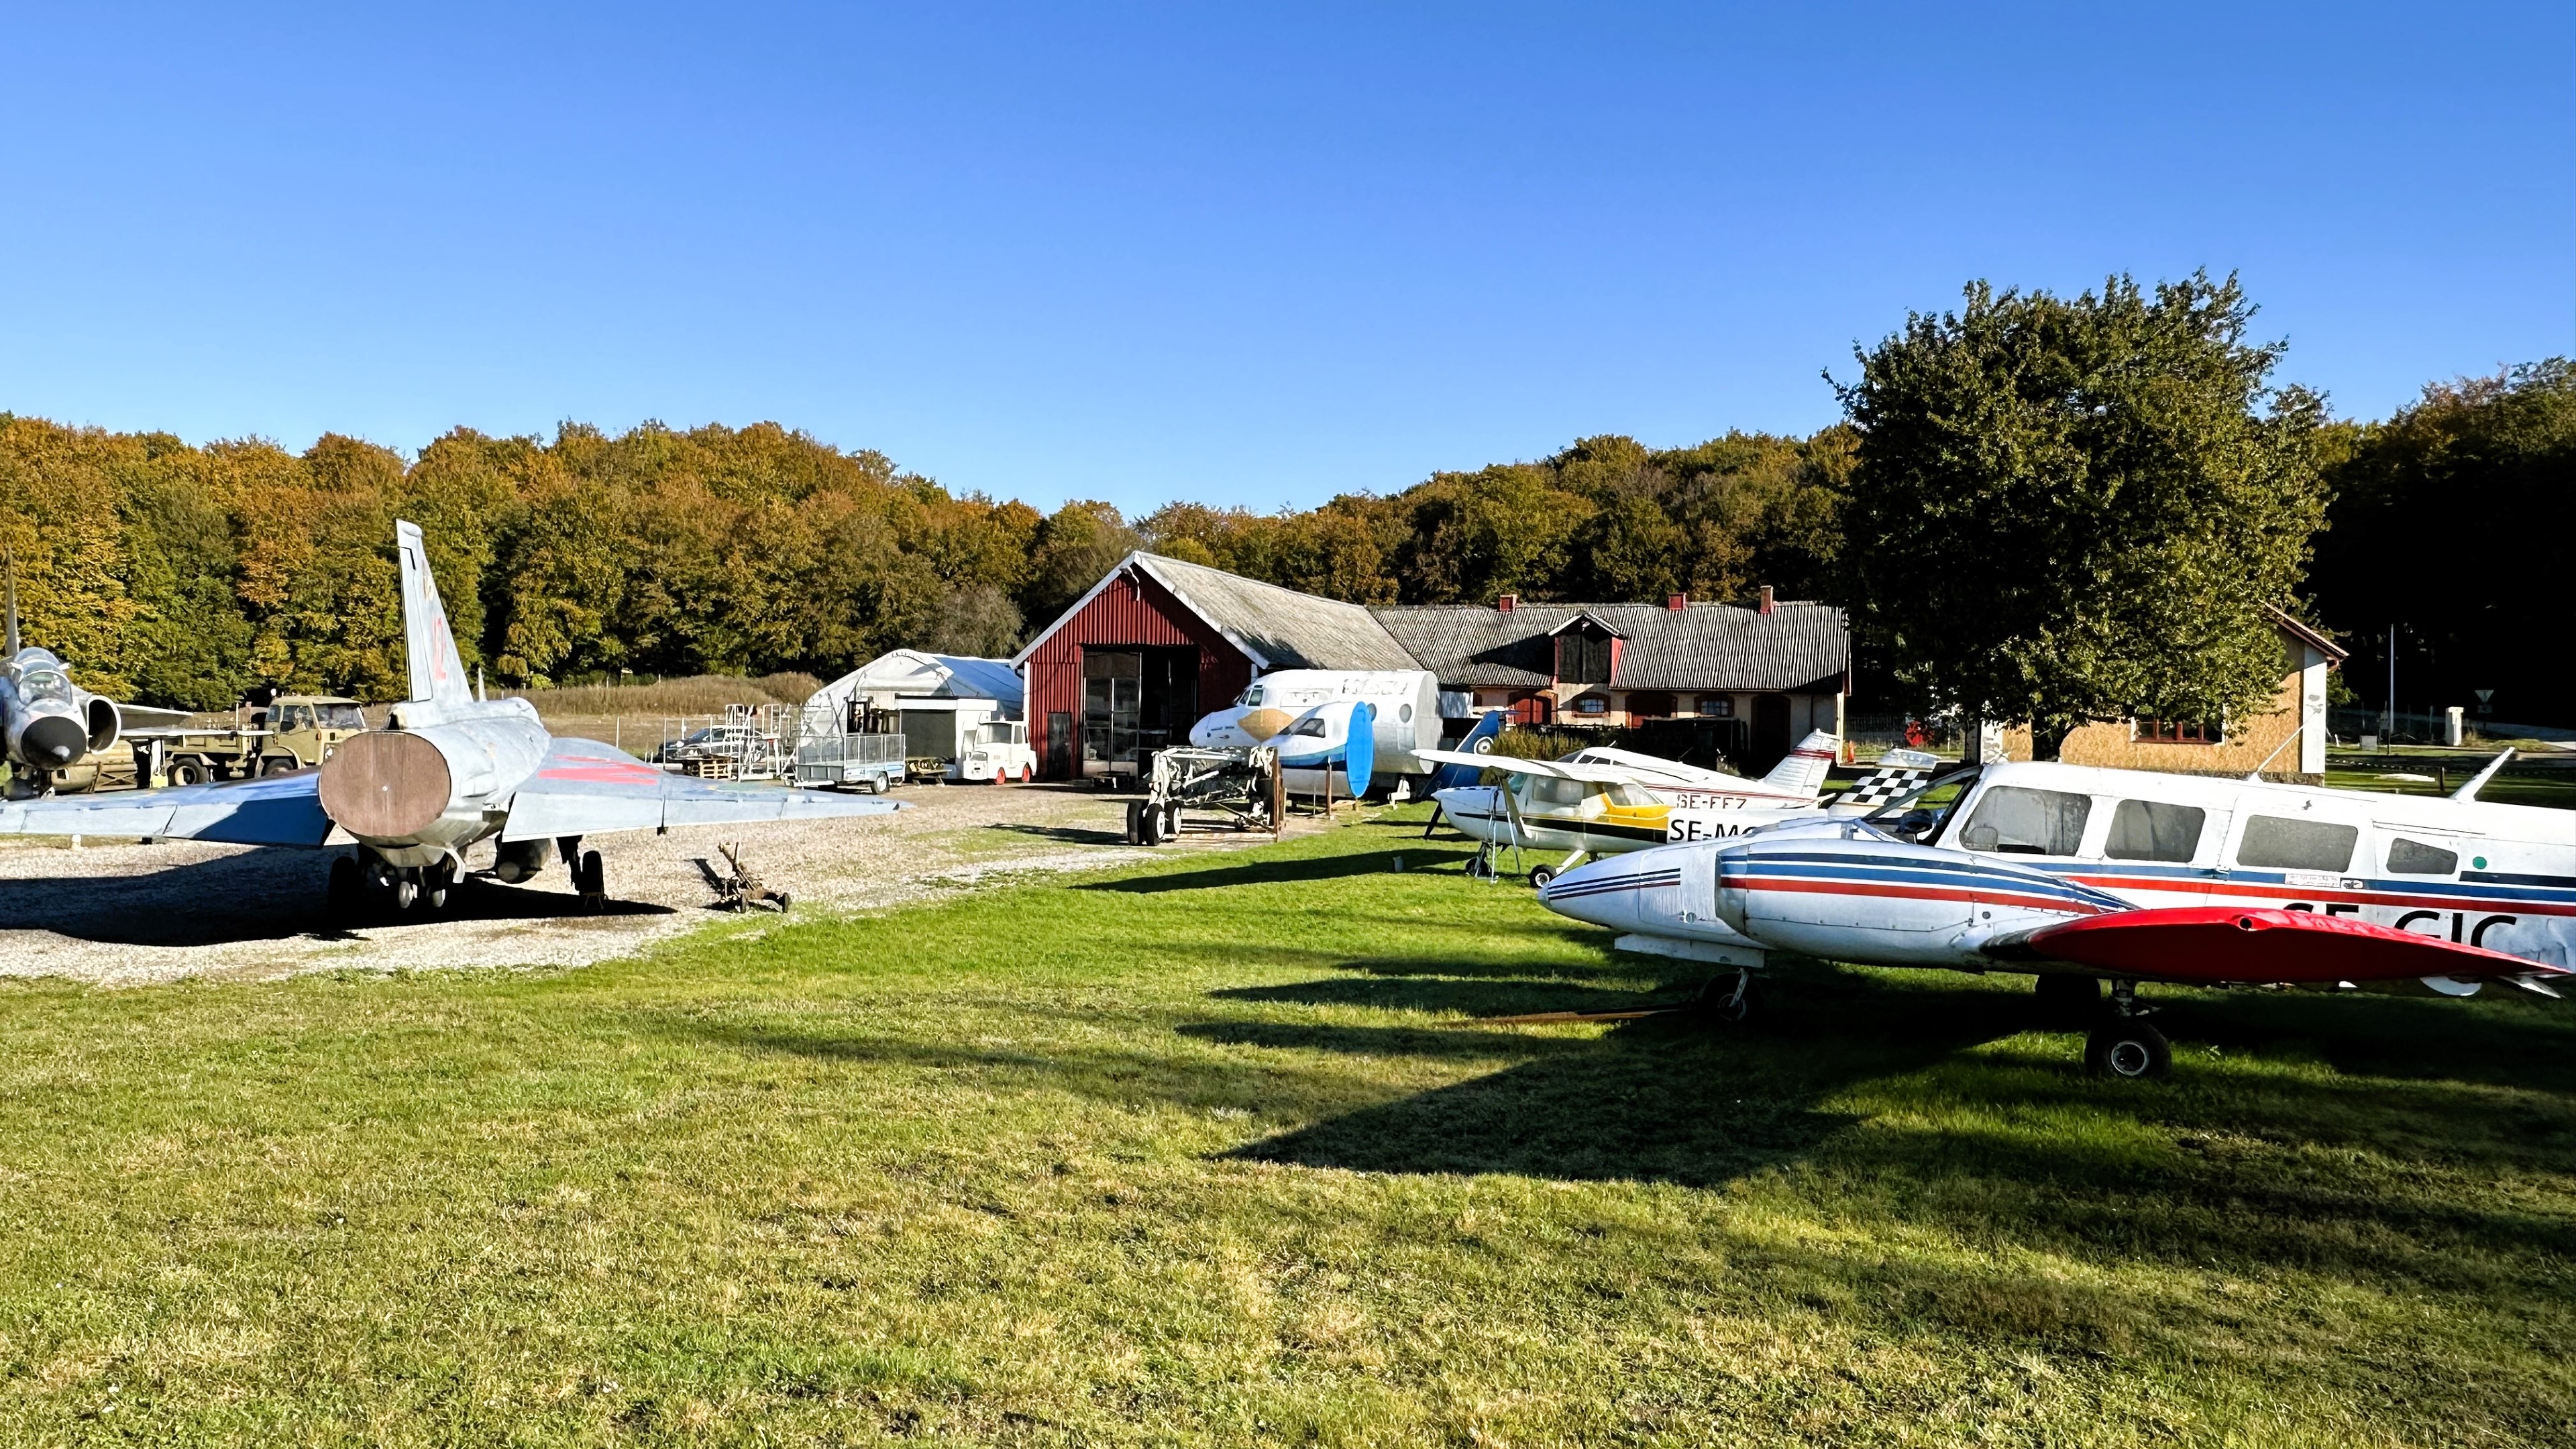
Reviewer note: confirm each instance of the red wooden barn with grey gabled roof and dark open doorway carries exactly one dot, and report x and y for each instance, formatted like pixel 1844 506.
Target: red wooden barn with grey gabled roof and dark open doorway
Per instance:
pixel 1158 643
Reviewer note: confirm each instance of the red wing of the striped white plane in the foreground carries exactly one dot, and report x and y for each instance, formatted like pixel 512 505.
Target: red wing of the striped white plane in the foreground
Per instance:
pixel 2235 945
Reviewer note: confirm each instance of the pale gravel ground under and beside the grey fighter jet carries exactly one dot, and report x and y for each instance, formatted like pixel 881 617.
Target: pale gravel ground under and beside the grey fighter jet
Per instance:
pixel 128 914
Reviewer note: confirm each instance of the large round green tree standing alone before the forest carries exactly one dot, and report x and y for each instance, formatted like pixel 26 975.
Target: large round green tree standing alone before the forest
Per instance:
pixel 2080 509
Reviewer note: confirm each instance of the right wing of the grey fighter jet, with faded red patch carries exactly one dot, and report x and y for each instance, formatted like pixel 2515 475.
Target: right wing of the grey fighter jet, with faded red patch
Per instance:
pixel 586 788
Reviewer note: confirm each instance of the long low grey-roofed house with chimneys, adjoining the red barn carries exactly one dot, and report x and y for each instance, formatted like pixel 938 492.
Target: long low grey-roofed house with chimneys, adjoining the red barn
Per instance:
pixel 1756 679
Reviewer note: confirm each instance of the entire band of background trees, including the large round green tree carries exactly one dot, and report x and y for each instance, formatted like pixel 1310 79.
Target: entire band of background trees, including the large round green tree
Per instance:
pixel 2036 507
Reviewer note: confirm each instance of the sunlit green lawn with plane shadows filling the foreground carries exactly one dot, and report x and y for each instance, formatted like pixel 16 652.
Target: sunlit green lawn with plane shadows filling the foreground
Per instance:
pixel 1202 1154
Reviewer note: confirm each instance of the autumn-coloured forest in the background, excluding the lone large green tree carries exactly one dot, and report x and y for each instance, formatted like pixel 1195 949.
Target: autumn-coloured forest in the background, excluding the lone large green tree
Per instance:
pixel 182 574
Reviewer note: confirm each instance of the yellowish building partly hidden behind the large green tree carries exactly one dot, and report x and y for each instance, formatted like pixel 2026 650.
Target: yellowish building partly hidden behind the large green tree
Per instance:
pixel 2222 746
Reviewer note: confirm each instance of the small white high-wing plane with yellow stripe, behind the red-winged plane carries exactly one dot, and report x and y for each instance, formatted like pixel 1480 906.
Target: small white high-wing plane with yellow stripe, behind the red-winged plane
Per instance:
pixel 1601 801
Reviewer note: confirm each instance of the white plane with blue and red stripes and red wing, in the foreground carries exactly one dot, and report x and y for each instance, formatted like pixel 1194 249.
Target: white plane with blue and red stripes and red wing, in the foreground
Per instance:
pixel 2083 875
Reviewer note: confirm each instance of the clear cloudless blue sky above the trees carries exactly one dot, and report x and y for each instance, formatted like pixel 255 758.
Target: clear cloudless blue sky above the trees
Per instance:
pixel 1227 254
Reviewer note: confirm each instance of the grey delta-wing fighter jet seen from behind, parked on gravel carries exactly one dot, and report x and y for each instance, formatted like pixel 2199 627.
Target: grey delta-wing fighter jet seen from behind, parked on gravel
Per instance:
pixel 444 775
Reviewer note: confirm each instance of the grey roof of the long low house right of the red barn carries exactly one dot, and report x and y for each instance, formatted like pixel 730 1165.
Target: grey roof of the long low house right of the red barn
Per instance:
pixel 1707 646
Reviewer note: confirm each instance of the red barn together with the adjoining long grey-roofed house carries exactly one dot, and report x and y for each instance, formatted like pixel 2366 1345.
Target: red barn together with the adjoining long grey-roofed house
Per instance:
pixel 1158 643
